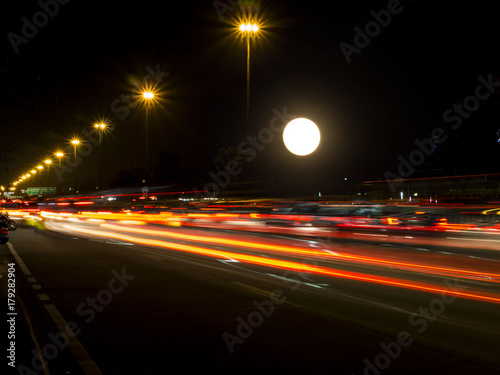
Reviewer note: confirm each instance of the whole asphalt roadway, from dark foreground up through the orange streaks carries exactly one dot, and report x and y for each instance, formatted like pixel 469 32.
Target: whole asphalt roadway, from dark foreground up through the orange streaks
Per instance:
pixel 137 308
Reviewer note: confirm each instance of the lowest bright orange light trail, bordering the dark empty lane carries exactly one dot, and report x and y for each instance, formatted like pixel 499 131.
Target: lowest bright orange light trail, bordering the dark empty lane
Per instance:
pixel 283 264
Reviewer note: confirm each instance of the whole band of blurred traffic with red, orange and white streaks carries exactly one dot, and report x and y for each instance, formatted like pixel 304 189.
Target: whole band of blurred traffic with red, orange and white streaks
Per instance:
pixel 397 245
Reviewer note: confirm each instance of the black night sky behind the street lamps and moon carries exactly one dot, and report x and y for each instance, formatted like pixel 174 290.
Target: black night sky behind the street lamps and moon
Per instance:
pixel 370 111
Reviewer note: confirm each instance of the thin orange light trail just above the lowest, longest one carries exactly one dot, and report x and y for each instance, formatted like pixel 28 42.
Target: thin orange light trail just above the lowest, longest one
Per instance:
pixel 294 250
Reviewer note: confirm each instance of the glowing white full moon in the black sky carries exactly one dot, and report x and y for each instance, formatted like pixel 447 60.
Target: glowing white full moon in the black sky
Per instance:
pixel 301 136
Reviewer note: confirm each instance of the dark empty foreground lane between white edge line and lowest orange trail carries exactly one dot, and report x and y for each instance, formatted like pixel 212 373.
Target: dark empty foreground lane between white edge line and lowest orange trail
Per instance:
pixel 178 307
